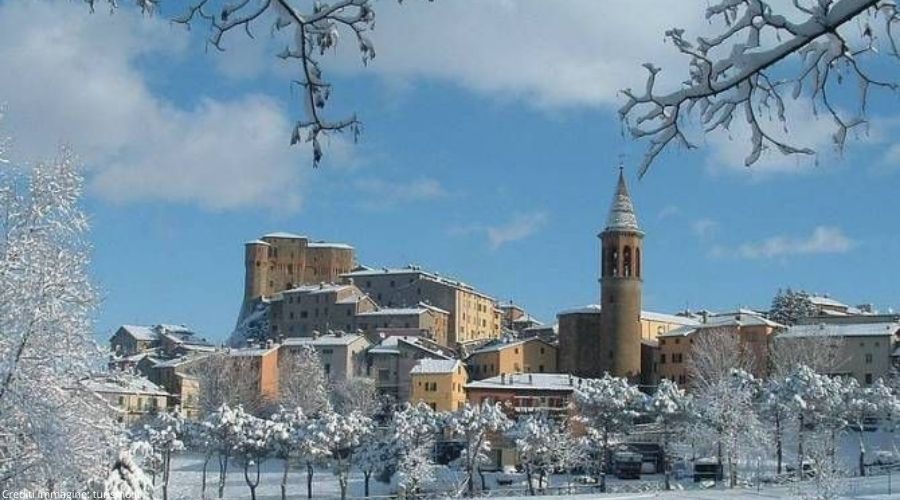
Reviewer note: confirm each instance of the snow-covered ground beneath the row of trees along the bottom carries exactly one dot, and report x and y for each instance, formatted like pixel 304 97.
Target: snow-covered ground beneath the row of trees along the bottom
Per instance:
pixel 187 478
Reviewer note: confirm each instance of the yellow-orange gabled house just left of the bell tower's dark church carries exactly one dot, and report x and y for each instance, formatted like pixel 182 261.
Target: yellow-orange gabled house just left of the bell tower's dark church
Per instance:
pixel 532 355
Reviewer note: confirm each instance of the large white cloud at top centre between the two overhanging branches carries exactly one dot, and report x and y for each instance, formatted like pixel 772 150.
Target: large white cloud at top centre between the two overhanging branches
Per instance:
pixel 566 54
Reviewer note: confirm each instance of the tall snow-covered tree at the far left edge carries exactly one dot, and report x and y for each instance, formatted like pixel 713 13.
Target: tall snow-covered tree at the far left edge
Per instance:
pixel 53 430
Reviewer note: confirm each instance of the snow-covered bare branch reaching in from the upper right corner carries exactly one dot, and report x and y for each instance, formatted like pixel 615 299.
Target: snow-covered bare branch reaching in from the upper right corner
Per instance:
pixel 740 71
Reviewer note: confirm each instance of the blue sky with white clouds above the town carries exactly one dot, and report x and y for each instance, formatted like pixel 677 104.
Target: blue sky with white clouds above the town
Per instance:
pixel 498 151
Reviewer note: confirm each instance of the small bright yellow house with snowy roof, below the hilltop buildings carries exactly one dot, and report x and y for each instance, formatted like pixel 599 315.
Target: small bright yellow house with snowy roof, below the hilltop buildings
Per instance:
pixel 439 383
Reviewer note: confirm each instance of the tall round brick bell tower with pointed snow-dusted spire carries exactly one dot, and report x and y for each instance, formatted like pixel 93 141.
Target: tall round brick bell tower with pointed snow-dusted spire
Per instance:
pixel 621 281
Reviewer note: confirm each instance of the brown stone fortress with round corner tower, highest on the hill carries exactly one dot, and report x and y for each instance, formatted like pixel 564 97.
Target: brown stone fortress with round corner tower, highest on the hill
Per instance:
pixel 282 261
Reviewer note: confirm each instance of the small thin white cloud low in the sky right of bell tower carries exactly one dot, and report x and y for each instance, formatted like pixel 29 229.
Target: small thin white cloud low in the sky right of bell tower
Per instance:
pixel 823 240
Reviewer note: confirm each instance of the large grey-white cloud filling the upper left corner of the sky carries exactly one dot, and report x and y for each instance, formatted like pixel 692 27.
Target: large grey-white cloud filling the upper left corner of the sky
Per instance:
pixel 69 76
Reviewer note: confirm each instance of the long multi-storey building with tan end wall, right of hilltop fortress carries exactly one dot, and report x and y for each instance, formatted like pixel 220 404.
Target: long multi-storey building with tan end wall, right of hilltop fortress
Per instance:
pixel 473 316
